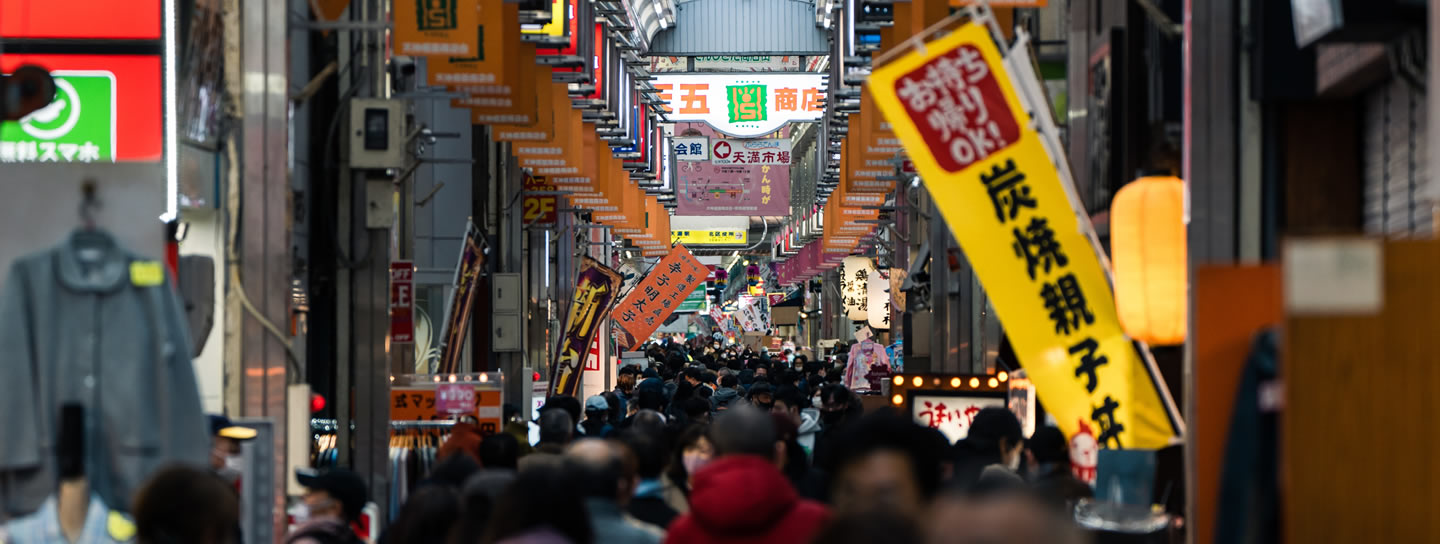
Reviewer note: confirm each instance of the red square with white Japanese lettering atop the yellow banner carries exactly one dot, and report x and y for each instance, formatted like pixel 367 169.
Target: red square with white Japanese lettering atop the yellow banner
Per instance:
pixel 970 119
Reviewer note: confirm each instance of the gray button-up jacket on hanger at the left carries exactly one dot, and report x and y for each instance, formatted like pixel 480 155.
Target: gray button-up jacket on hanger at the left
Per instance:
pixel 83 325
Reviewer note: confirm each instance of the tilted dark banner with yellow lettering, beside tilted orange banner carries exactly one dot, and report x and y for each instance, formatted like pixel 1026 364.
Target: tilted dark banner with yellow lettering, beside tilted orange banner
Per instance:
pixel 595 291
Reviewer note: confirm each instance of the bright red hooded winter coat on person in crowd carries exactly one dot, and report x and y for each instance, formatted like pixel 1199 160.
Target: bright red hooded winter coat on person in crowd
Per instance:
pixel 747 500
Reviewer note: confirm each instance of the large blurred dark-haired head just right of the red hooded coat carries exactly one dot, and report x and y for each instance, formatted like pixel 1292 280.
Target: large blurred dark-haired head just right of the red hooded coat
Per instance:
pixel 886 463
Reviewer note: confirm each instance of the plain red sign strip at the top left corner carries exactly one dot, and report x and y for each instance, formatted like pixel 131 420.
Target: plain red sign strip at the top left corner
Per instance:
pixel 81 19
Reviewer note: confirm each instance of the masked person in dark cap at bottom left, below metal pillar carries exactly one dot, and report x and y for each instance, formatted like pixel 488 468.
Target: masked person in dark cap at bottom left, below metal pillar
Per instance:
pixel 332 503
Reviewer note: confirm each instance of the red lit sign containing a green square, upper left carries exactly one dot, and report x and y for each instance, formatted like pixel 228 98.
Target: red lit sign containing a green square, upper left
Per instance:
pixel 107 109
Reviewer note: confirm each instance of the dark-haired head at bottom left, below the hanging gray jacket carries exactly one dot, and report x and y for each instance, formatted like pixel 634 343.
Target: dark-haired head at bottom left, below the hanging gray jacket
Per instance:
pixel 179 504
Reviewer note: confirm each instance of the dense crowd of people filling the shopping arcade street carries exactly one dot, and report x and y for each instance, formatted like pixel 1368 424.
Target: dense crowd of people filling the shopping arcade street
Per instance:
pixel 712 445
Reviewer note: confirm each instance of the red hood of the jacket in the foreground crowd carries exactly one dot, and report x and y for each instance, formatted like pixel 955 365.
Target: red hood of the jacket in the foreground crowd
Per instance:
pixel 741 494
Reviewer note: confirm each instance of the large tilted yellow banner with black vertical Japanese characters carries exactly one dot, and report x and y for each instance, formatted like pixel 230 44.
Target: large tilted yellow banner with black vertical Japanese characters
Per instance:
pixel 957 112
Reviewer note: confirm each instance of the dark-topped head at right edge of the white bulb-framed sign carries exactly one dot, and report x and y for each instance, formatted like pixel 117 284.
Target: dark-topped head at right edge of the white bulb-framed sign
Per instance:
pixel 993 447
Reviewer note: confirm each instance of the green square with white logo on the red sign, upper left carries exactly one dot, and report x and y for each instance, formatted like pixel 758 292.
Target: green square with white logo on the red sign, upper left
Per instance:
pixel 78 127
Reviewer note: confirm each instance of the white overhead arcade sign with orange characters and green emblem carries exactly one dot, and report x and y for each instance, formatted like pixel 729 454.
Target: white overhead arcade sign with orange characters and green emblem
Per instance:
pixel 744 106
